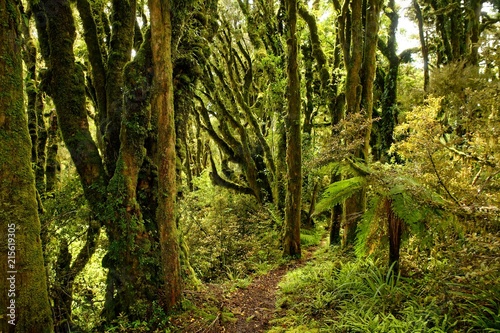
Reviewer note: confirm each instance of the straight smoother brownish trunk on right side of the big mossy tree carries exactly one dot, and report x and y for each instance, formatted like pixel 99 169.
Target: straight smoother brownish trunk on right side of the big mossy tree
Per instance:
pixel 163 107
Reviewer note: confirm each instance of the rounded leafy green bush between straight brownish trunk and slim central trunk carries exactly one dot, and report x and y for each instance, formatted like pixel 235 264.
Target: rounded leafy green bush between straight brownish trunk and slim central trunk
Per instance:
pixel 229 235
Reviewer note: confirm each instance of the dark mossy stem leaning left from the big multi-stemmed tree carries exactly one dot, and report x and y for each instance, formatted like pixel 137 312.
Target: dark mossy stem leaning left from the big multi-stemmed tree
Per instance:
pixel 66 86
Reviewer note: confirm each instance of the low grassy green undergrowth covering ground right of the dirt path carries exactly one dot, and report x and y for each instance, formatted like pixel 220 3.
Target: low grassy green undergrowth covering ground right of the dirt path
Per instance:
pixel 455 288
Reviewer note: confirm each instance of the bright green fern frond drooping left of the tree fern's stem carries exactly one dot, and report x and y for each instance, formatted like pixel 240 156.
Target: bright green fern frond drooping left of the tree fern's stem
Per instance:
pixel 339 191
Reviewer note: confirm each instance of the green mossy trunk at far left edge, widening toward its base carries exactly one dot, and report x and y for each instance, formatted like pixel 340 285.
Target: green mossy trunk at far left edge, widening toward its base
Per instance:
pixel 23 283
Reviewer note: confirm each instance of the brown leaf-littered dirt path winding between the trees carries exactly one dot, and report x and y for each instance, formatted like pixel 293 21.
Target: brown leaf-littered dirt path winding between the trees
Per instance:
pixel 250 308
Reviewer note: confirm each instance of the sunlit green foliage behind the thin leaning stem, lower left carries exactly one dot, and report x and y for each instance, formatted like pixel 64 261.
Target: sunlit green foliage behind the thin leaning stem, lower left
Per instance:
pixel 67 218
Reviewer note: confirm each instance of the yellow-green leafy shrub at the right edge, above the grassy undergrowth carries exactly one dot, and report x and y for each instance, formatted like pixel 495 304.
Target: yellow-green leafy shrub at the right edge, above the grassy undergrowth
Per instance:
pixel 449 143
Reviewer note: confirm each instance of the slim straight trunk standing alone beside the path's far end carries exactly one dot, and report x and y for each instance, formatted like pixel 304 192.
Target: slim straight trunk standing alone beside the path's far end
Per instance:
pixel 291 239
